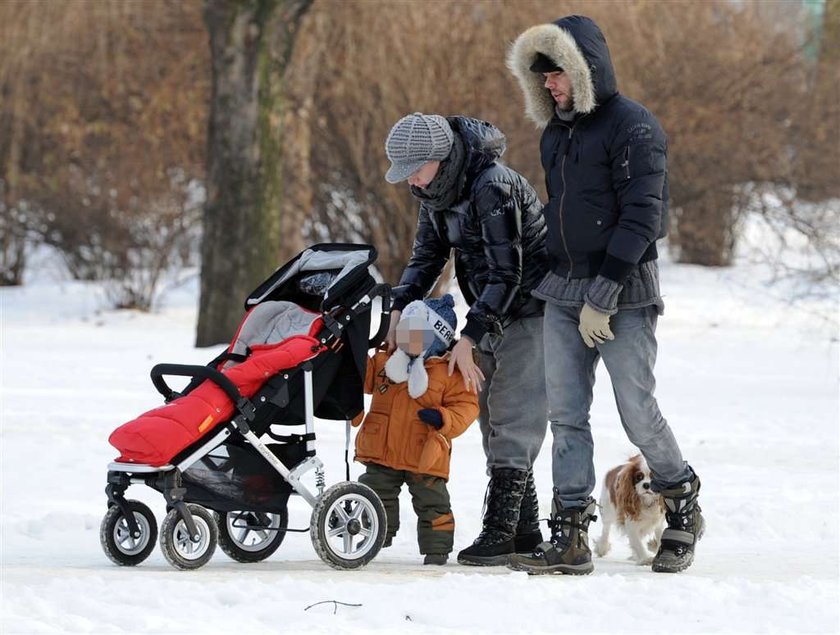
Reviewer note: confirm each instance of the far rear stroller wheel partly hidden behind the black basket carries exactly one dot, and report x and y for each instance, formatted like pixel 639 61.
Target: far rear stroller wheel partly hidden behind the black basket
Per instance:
pixel 251 536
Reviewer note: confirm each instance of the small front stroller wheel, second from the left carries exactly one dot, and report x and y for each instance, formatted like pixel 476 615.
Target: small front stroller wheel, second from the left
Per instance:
pixel 177 545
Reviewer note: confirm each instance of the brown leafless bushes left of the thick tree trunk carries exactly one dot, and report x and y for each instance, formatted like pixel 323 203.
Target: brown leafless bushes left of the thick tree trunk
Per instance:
pixel 101 157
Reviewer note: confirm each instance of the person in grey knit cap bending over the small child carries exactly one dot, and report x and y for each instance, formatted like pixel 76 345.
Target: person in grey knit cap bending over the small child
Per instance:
pixel 491 217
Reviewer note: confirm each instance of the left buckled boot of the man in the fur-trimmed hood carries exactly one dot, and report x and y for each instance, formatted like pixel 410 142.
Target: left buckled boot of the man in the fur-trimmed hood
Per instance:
pixel 568 551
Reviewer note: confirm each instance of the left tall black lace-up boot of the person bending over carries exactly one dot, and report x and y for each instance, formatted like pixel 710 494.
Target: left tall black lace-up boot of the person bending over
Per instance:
pixel 495 543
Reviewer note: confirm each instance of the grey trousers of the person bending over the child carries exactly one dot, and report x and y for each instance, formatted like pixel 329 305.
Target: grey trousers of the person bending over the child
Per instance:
pixel 513 415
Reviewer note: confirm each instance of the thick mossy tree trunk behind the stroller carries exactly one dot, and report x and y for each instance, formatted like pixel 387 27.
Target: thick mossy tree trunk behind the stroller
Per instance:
pixel 250 43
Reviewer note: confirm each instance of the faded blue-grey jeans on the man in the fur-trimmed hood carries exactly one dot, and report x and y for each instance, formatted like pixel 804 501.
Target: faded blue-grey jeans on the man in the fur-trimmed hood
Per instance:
pixel 570 377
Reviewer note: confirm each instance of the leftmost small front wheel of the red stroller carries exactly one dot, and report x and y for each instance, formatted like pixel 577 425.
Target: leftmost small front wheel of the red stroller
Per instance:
pixel 118 543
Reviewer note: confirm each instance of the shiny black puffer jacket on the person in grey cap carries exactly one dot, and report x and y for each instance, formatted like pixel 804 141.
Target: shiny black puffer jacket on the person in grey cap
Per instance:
pixel 498 232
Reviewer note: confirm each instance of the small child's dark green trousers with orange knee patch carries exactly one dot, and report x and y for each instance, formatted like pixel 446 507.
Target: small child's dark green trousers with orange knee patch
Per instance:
pixel 430 498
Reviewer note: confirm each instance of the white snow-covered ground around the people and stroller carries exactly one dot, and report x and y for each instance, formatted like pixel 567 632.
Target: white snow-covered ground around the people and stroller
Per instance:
pixel 747 379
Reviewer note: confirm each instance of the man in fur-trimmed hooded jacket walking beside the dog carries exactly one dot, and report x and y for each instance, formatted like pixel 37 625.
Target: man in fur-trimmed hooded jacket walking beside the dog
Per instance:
pixel 604 157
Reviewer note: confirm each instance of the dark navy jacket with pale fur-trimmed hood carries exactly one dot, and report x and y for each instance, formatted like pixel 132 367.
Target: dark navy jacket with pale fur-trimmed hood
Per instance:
pixel 605 170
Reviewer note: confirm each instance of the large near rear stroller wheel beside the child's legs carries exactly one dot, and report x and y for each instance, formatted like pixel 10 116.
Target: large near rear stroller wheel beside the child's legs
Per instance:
pixel 348 525
